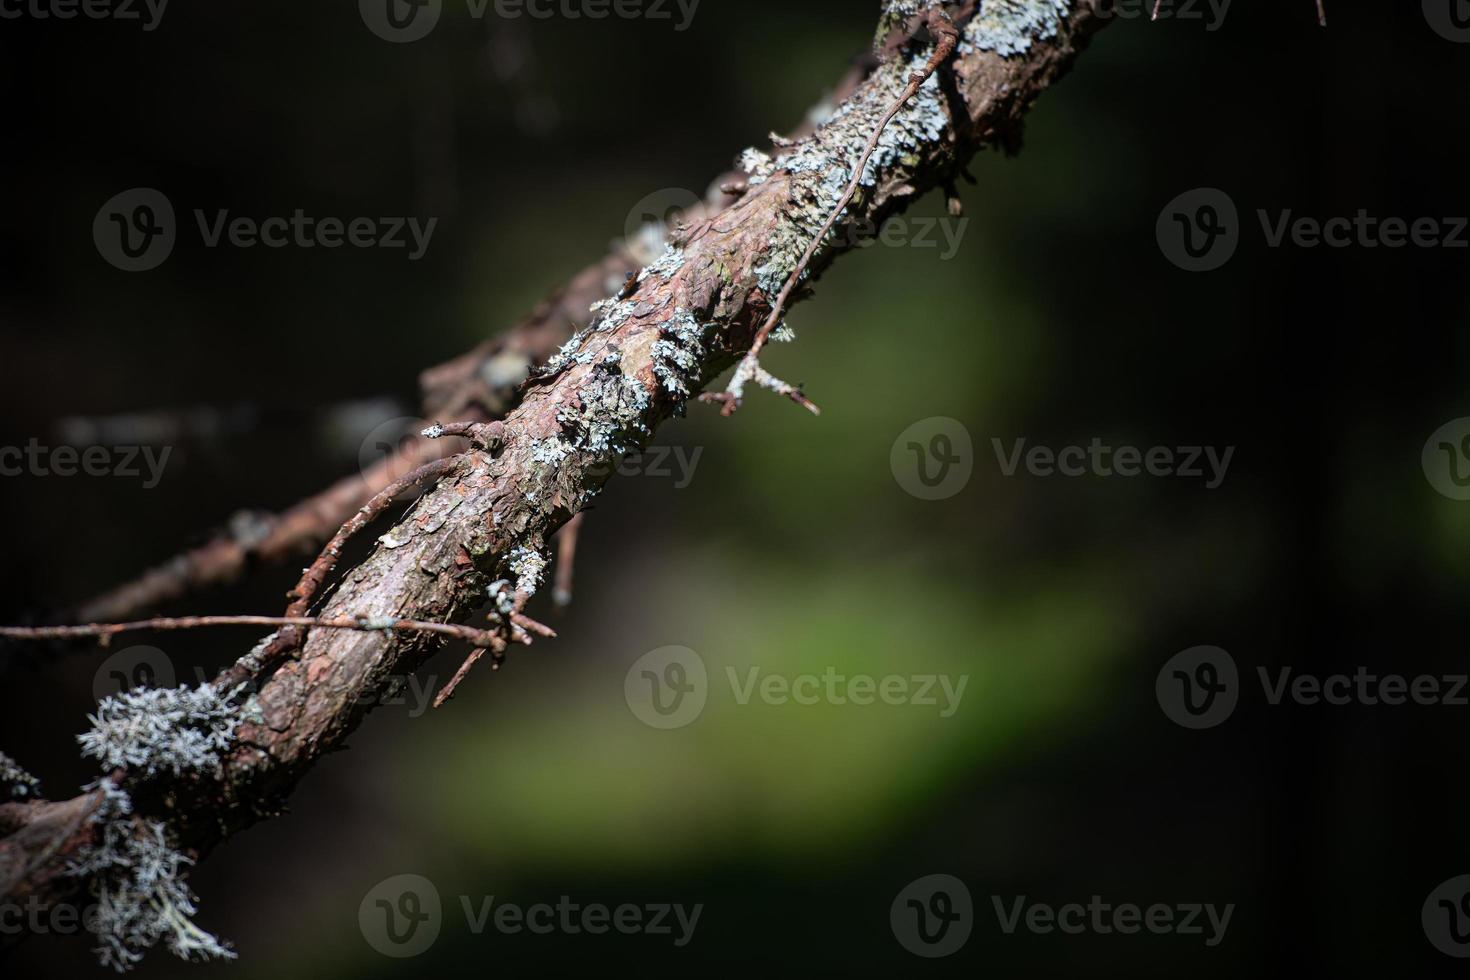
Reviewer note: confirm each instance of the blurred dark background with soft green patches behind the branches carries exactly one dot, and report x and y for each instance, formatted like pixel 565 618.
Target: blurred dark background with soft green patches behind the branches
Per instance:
pixel 793 549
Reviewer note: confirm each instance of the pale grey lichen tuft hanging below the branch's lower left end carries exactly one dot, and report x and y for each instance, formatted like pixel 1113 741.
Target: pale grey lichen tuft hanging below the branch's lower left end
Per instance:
pixel 137 878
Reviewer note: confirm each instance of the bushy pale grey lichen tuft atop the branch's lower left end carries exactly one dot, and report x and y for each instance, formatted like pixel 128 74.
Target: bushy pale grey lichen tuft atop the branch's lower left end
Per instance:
pixel 167 729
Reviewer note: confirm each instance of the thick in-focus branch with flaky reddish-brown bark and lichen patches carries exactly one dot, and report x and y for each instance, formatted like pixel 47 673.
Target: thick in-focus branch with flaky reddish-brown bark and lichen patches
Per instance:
pixel 649 352
